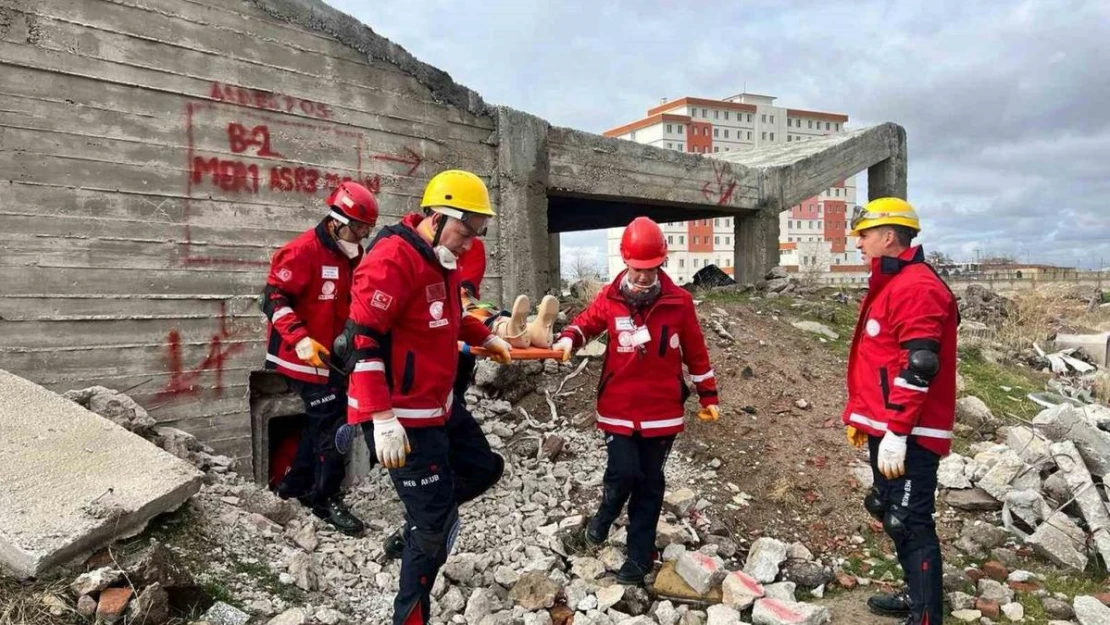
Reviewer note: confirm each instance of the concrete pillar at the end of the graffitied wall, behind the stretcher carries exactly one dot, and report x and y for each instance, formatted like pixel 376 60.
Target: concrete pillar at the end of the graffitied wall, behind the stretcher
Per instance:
pixel 521 182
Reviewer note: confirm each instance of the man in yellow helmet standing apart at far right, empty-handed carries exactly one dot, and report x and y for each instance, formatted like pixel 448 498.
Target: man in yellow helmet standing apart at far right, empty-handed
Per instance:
pixel 902 398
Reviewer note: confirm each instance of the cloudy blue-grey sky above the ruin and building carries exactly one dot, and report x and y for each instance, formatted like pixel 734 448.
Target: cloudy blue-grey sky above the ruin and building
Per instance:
pixel 1005 104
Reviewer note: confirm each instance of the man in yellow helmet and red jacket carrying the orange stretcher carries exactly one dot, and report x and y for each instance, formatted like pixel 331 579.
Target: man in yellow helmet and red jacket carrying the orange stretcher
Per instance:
pixel 407 320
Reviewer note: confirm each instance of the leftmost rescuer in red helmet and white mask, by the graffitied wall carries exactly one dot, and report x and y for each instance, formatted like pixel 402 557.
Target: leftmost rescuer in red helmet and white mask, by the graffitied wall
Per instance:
pixel 307 300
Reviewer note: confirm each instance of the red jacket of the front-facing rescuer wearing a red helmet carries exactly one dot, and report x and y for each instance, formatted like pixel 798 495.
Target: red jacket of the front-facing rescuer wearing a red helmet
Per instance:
pixel 642 388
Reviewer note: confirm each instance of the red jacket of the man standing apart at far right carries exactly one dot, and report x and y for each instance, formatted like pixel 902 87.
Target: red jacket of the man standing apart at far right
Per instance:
pixel 906 303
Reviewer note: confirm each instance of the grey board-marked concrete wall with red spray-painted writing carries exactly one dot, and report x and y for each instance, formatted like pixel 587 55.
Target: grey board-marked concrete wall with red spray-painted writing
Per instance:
pixel 153 157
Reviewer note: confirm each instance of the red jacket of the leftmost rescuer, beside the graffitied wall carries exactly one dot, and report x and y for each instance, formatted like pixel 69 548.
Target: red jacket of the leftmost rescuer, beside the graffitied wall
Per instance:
pixel 308 295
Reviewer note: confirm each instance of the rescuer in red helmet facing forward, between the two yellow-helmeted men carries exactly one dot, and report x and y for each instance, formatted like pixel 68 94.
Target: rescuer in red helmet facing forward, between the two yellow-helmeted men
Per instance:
pixel 653 332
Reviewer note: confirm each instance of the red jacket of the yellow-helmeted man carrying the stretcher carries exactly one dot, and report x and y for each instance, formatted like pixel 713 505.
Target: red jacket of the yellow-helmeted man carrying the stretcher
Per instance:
pixel 412 309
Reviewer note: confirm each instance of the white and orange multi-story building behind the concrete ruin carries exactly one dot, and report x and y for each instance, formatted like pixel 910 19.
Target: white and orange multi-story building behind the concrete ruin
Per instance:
pixel 814 236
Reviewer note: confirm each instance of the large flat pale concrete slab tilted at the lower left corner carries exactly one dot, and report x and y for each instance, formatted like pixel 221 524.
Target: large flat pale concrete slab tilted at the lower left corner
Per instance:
pixel 73 481
